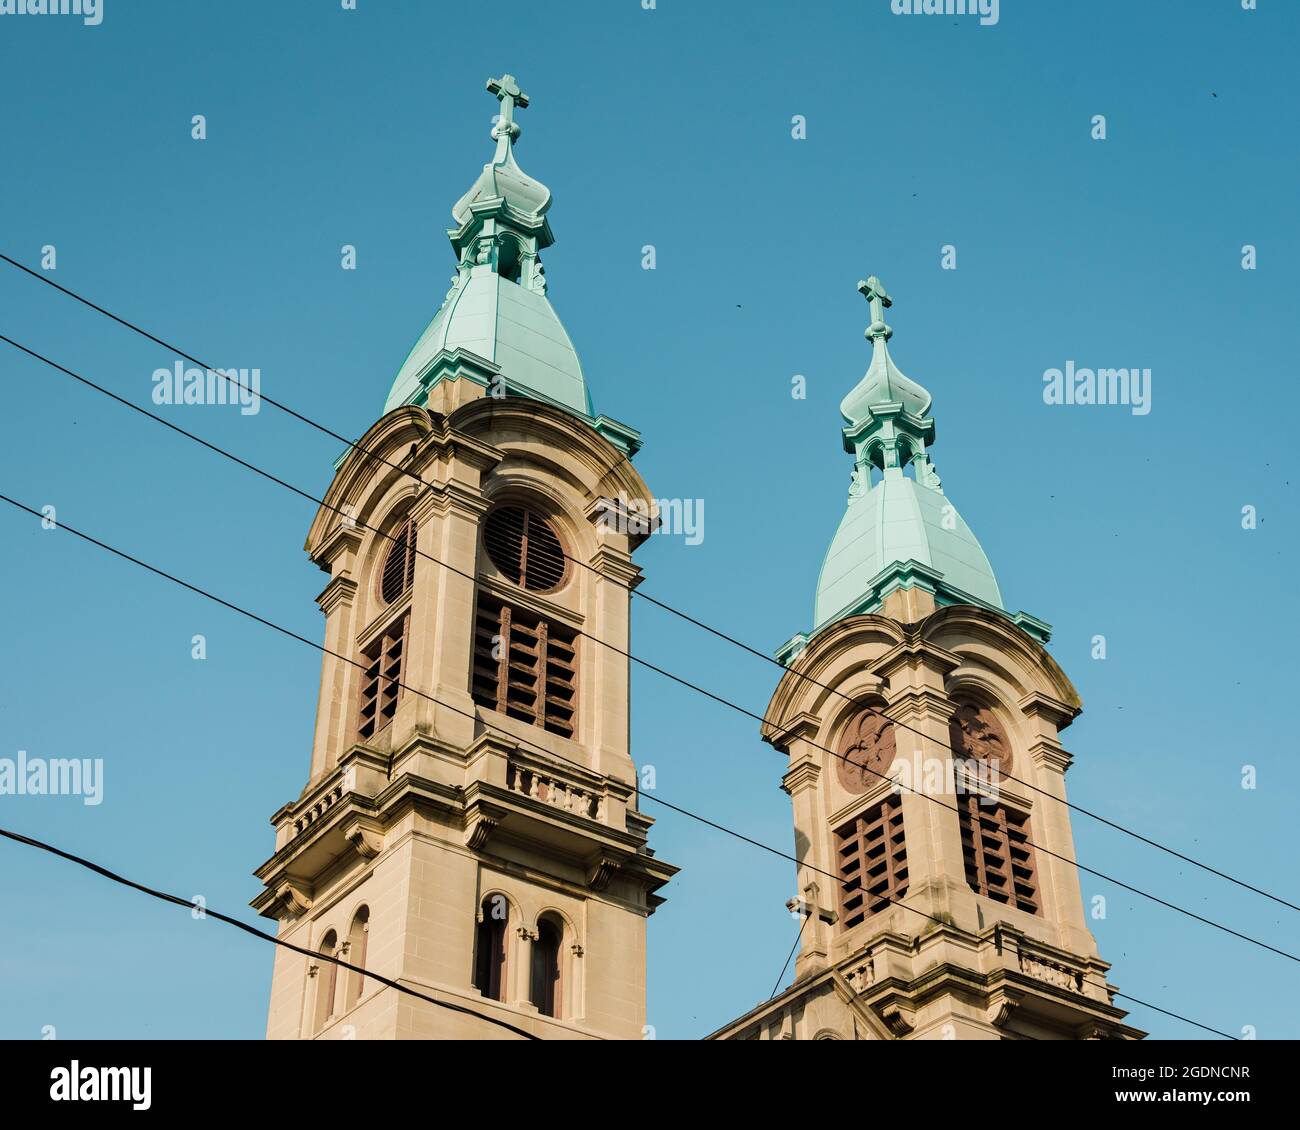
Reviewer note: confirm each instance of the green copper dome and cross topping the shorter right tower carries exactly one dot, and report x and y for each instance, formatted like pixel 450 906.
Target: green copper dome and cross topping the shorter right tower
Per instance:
pixel 900 531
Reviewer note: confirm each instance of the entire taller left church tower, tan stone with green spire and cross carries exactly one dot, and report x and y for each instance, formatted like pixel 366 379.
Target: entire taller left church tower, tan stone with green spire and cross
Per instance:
pixel 471 829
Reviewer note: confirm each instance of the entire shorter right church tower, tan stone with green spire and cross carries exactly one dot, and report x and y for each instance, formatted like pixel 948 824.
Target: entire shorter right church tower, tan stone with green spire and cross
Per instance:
pixel 938 891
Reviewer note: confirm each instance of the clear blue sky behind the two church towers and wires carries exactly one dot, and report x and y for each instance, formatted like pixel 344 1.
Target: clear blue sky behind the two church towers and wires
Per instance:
pixel 670 128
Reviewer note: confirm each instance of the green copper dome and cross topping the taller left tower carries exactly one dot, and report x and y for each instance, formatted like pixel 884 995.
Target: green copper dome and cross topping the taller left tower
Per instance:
pixel 497 308
